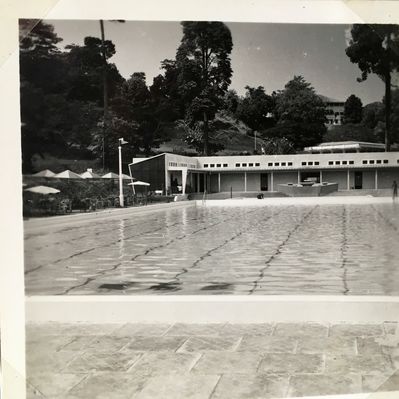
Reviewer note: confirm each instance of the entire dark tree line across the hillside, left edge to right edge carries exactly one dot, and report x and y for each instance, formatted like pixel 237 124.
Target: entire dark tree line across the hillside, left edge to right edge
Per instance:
pixel 75 103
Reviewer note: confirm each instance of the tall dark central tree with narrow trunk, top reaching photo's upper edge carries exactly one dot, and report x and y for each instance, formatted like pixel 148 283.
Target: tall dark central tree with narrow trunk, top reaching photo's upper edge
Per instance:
pixel 203 62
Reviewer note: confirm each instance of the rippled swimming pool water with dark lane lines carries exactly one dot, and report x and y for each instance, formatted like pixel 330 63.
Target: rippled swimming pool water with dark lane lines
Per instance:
pixel 326 249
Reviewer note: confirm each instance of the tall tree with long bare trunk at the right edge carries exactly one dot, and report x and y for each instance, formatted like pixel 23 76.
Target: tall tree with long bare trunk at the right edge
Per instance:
pixel 375 48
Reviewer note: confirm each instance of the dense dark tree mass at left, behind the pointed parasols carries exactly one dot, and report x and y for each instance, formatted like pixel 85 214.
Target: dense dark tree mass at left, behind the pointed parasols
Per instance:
pixel 63 100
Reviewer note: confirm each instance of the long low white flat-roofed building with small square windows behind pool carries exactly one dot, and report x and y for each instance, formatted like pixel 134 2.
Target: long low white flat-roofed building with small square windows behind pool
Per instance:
pixel 174 173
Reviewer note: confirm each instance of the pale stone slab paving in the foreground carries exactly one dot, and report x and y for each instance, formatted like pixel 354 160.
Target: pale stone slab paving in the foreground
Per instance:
pixel 213 361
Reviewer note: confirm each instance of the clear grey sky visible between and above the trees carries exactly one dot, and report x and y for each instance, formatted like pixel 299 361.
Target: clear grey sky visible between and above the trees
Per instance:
pixel 267 54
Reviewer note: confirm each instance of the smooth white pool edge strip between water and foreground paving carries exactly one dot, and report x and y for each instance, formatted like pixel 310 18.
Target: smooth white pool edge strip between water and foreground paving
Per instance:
pixel 212 309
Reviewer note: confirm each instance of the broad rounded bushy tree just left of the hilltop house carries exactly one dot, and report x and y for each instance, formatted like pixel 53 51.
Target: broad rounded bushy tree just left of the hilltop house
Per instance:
pixel 300 114
